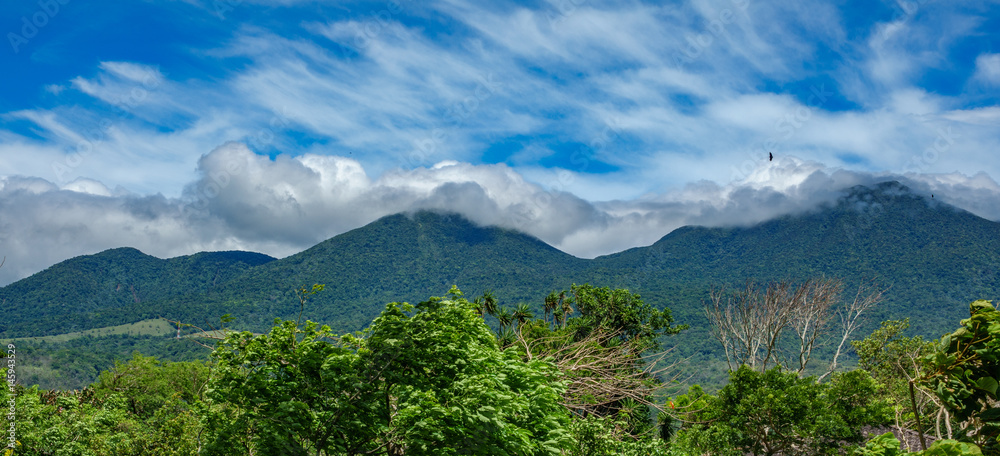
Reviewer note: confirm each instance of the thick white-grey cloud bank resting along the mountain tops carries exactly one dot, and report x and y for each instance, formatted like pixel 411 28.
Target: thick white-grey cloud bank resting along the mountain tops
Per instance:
pixel 249 202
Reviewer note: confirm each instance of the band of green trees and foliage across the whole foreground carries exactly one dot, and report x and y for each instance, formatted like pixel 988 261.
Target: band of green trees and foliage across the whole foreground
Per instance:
pixel 433 379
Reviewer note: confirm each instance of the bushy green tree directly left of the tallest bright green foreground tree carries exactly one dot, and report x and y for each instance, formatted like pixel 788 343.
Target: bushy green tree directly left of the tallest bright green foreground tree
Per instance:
pixel 292 391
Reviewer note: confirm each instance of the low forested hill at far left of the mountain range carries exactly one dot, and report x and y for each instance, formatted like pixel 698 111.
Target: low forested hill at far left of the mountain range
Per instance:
pixel 105 288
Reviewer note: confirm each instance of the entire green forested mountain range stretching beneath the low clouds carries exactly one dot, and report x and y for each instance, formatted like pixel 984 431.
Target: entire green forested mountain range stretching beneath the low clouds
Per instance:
pixel 935 257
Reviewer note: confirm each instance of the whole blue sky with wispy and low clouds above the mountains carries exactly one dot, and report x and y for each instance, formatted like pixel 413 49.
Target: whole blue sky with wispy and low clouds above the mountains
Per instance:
pixel 178 126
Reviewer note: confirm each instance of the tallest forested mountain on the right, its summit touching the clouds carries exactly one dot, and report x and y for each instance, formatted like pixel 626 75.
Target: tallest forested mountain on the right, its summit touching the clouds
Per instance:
pixel 935 257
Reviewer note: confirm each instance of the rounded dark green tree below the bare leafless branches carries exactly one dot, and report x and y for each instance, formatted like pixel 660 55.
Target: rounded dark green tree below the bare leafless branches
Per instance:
pixel 776 412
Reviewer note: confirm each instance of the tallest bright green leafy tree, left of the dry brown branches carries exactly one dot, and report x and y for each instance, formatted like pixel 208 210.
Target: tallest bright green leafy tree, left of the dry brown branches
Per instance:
pixel 454 391
